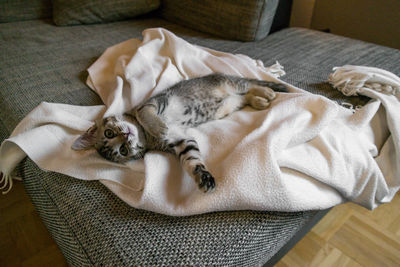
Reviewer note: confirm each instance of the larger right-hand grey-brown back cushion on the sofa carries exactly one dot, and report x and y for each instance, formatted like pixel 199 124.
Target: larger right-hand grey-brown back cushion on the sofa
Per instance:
pixel 232 19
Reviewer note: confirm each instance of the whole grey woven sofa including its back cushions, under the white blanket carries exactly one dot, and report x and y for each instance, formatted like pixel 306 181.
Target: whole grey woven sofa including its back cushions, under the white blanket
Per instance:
pixel 44 57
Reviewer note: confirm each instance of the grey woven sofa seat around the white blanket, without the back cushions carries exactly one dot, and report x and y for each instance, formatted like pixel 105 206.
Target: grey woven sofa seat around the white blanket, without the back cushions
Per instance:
pixel 41 62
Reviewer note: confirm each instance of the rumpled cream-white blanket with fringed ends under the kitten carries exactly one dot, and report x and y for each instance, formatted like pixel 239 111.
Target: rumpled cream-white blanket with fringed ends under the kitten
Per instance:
pixel 305 152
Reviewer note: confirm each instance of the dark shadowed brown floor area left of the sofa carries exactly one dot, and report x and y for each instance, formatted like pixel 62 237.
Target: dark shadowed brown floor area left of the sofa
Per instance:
pixel 24 240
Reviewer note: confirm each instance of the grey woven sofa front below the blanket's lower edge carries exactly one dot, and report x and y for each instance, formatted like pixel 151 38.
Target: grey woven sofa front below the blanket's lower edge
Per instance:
pixel 115 234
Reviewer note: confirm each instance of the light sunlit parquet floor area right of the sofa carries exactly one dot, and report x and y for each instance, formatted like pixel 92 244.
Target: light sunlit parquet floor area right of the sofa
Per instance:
pixel 350 235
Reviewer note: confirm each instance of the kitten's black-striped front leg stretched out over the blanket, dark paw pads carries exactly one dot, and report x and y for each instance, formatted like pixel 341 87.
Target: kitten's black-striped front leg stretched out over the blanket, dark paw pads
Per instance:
pixel 187 150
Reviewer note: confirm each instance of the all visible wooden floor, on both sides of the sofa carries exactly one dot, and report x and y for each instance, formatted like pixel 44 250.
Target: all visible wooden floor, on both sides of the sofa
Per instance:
pixel 347 236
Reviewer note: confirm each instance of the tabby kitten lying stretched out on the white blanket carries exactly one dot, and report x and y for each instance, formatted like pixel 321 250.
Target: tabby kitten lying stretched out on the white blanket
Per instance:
pixel 160 122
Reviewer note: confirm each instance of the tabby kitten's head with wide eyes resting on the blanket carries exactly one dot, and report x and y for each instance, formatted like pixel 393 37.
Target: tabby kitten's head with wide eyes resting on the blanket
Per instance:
pixel 116 138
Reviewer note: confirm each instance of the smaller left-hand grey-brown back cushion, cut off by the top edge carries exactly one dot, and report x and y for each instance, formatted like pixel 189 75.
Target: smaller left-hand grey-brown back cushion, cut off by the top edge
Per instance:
pixel 73 12
